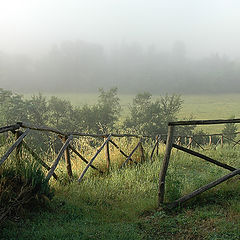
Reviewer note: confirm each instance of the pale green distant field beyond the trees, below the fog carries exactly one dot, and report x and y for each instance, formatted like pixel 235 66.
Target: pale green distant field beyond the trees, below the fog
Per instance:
pixel 216 106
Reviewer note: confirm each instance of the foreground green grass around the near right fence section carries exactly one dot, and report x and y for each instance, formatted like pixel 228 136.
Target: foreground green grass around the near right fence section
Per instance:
pixel 122 204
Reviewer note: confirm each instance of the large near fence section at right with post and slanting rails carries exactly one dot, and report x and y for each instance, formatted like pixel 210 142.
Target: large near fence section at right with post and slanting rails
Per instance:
pixel 165 164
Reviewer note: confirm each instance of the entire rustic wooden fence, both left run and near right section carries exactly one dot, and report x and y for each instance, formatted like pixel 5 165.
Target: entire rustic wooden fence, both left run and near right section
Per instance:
pixel 21 130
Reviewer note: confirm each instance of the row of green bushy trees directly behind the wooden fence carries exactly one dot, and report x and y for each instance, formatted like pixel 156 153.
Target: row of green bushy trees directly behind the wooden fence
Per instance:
pixel 146 116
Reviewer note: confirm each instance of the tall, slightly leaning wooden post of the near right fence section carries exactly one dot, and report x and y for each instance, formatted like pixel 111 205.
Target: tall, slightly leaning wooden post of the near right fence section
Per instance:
pixel 163 172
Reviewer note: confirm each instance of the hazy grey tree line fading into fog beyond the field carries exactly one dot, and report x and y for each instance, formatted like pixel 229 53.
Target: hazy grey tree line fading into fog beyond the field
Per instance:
pixel 83 67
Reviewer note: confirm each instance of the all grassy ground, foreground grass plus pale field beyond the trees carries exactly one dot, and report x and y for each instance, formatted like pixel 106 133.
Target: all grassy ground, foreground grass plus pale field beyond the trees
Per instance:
pixel 122 203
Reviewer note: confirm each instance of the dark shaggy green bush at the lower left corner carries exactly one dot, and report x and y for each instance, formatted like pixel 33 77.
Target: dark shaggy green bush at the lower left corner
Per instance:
pixel 22 186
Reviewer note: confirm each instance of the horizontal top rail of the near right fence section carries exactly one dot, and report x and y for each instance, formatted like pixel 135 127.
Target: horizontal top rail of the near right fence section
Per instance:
pixel 204 122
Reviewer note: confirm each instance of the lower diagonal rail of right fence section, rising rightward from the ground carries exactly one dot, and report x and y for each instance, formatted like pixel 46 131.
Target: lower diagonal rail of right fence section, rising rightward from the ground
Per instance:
pixel 204 188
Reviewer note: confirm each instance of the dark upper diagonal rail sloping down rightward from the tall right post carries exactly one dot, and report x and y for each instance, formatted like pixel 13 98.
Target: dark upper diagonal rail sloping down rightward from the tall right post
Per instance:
pixel 196 154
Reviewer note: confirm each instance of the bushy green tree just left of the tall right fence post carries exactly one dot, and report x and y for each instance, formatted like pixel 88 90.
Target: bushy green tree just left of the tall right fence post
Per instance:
pixel 150 117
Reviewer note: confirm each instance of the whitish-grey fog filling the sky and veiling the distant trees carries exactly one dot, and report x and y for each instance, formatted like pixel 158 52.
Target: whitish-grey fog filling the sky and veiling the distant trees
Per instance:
pixel 136 45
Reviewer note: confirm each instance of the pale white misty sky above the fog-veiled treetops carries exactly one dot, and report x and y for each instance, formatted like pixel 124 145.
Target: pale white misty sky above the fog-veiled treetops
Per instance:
pixel 205 26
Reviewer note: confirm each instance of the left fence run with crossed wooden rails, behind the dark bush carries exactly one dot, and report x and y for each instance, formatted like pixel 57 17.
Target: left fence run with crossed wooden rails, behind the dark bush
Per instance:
pixel 67 139
